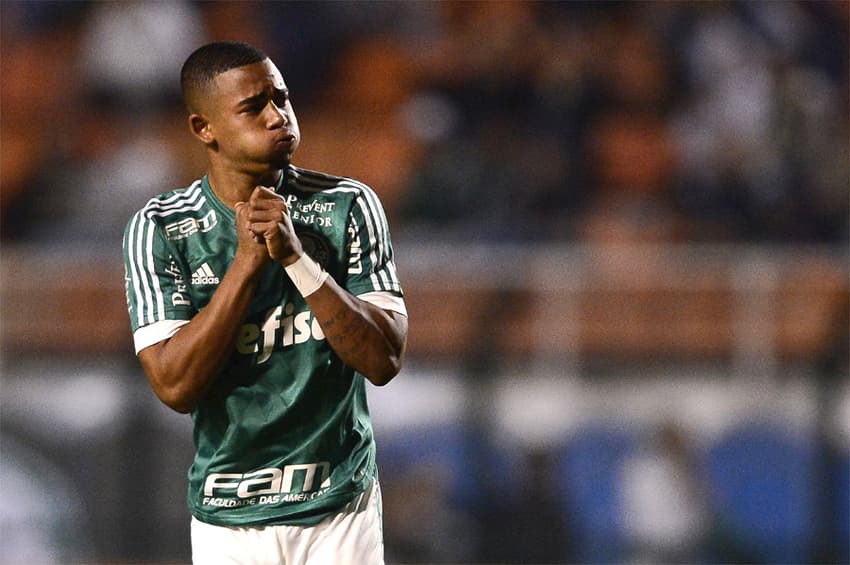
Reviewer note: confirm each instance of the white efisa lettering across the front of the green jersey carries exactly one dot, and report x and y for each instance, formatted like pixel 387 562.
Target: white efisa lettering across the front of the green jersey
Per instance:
pixel 283 327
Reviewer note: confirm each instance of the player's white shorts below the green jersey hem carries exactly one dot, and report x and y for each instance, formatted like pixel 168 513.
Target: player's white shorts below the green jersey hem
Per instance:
pixel 353 536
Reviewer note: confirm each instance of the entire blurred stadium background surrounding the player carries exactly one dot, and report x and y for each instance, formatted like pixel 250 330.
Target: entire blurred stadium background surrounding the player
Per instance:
pixel 623 233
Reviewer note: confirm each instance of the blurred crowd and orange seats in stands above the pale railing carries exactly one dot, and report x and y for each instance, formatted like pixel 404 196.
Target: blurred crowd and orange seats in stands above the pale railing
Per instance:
pixel 490 121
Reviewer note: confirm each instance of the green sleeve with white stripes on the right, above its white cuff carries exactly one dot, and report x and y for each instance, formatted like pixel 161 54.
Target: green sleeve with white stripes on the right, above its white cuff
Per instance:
pixel 371 266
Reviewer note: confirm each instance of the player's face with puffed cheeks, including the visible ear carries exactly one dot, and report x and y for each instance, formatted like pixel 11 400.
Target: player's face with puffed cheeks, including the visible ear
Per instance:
pixel 249 120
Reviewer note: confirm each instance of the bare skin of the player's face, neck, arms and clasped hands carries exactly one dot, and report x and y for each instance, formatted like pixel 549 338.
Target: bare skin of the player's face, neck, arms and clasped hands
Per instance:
pixel 247 124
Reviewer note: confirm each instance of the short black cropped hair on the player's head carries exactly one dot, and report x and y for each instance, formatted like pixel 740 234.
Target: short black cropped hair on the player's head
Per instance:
pixel 209 61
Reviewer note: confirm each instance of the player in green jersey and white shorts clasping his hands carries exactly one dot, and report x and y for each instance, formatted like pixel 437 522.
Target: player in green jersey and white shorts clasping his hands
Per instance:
pixel 261 297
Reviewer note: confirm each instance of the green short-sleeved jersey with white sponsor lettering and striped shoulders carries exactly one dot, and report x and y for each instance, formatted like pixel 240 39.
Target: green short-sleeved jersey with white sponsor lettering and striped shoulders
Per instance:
pixel 283 435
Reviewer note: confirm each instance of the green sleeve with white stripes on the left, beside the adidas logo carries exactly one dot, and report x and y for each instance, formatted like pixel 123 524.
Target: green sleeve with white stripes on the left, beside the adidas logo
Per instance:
pixel 155 285
